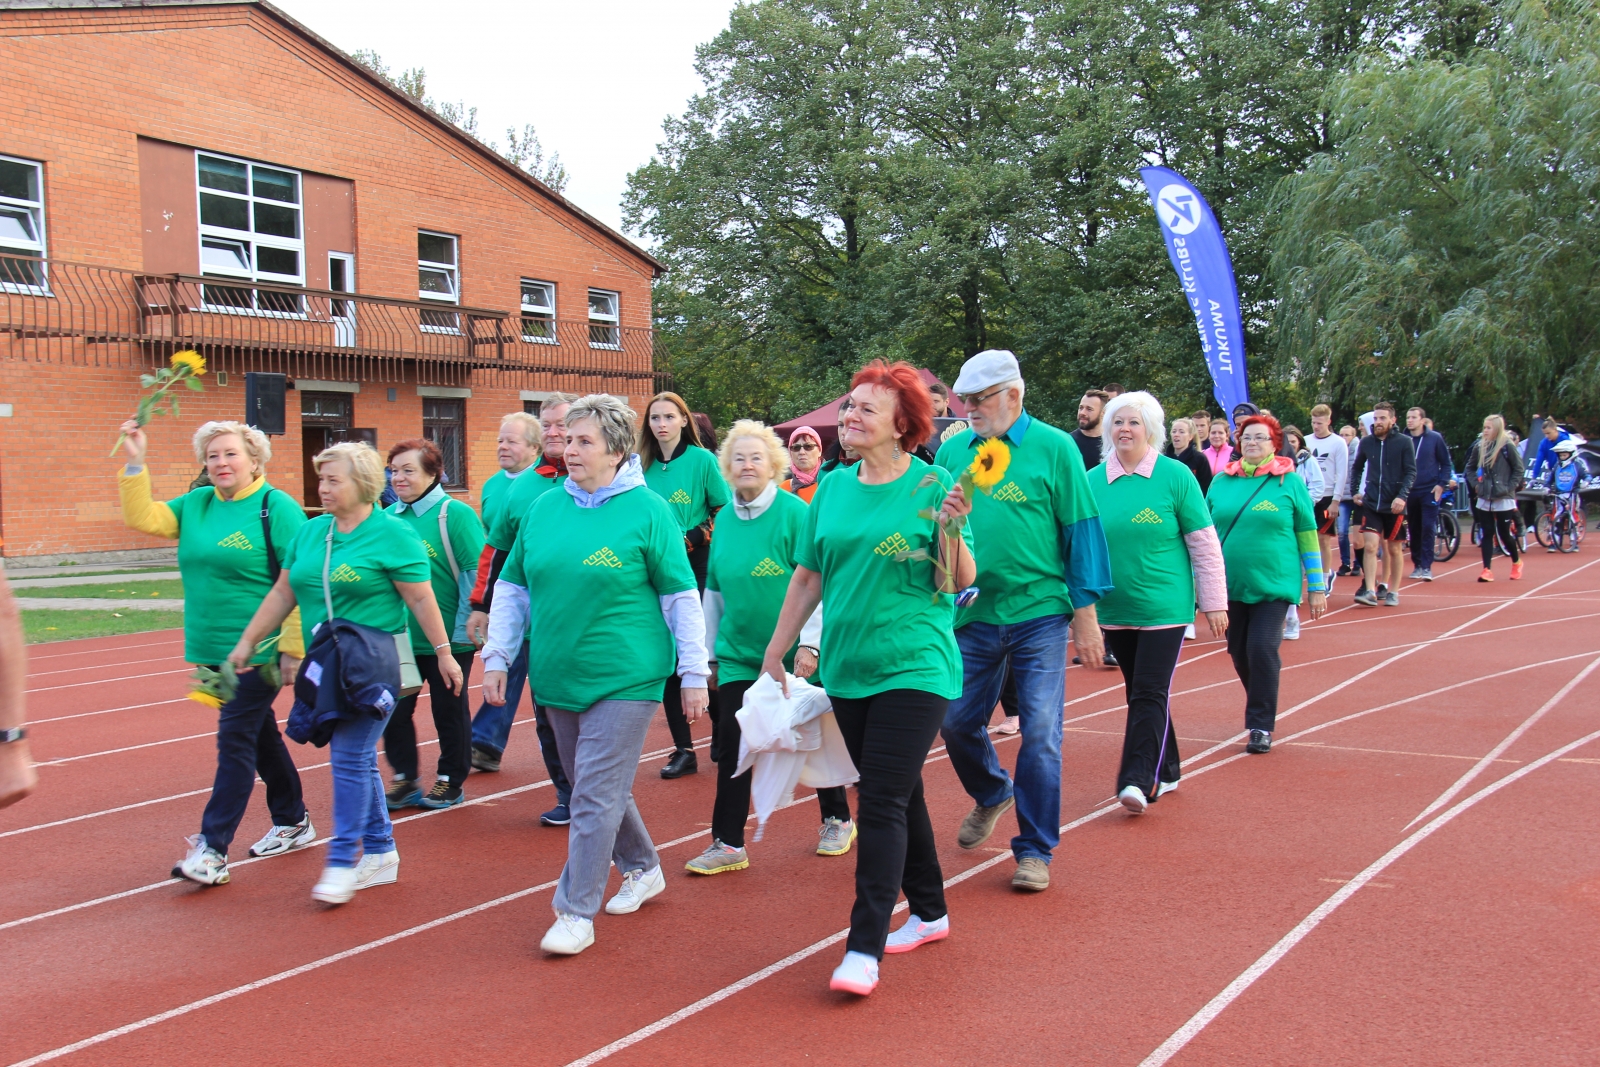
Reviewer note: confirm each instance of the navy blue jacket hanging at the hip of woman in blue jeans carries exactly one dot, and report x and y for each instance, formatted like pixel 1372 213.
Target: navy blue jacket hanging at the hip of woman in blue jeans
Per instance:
pixel 350 671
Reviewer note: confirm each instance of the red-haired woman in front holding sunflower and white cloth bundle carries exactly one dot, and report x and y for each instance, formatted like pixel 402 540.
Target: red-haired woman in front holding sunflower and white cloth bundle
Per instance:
pixel 890 661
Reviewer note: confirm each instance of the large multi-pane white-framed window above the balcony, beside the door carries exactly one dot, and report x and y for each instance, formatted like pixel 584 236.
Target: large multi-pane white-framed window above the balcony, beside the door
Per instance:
pixel 250 230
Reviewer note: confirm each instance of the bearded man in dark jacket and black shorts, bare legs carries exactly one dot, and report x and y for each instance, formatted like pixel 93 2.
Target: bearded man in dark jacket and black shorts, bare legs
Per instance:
pixel 1382 476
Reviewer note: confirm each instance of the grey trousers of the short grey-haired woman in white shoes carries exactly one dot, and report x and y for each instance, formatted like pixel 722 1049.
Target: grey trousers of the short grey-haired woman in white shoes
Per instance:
pixel 601 751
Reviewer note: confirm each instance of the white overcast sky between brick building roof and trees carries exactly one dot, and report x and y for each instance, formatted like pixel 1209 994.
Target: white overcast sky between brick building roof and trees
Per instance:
pixel 594 79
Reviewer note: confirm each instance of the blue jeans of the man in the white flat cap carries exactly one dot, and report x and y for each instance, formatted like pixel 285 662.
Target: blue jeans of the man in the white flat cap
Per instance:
pixel 1038 653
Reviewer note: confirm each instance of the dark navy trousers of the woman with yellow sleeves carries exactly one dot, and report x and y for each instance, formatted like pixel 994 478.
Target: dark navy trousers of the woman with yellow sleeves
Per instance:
pixel 249 745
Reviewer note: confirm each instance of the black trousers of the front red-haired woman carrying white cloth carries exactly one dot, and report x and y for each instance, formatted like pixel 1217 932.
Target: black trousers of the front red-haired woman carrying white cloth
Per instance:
pixel 889 737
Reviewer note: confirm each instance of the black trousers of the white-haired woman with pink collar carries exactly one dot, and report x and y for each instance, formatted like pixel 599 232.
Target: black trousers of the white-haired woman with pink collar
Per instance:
pixel 1150 745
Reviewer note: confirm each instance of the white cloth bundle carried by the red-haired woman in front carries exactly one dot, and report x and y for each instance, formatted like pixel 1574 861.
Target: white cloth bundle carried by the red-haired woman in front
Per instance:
pixel 790 741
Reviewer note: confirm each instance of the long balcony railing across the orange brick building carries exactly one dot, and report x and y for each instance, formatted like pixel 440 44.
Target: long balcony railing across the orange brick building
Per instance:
pixel 68 313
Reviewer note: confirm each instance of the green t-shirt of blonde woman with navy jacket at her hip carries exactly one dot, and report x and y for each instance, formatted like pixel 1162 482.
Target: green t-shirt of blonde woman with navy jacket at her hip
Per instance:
pixel 367 562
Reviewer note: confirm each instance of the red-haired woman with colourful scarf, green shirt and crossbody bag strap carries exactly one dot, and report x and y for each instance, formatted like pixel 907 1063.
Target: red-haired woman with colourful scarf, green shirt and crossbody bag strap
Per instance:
pixel 1268 527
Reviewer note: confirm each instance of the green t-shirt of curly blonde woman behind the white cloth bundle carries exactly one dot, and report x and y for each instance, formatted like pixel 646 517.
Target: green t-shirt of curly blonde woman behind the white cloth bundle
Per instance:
pixel 751 565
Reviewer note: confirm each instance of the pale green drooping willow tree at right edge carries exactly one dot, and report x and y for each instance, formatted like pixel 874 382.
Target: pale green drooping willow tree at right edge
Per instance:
pixel 1449 246
